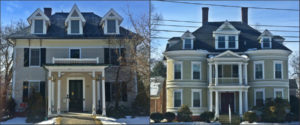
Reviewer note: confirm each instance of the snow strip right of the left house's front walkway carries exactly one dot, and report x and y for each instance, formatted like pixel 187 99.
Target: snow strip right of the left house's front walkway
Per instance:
pixel 124 121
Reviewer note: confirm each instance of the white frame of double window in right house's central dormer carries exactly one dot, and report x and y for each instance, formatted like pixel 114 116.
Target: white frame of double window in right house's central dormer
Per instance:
pixel 227 41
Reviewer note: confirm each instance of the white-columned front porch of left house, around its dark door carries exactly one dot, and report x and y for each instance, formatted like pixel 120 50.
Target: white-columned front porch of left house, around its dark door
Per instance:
pixel 75 88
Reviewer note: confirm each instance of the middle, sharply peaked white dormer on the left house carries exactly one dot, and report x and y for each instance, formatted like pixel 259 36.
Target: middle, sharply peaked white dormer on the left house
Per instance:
pixel 75 22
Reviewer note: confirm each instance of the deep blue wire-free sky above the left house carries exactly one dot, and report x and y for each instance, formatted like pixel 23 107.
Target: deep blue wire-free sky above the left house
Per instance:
pixel 15 10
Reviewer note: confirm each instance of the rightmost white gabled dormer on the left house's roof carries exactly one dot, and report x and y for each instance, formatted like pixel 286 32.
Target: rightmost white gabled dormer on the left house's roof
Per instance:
pixel 111 22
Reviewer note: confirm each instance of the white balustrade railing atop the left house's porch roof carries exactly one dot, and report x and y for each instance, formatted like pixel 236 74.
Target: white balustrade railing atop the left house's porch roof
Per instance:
pixel 75 60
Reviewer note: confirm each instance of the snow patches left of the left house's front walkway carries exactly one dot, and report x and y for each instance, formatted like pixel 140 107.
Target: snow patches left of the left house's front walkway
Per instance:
pixel 22 120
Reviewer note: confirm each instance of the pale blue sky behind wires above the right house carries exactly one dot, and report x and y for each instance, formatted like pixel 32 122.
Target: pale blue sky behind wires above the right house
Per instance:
pixel 179 11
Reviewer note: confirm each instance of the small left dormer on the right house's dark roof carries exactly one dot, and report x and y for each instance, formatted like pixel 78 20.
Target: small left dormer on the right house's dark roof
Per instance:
pixel 187 40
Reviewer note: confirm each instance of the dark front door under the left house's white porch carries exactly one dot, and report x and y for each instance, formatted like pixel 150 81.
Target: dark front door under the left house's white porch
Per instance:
pixel 75 96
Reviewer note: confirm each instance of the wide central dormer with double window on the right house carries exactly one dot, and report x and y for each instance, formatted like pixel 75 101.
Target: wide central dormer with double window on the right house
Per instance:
pixel 226 36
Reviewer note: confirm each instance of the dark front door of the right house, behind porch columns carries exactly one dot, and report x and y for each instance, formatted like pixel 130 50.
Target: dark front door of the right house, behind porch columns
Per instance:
pixel 226 100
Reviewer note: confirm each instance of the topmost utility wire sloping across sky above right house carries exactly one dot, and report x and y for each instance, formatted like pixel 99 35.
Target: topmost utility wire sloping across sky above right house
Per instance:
pixel 230 5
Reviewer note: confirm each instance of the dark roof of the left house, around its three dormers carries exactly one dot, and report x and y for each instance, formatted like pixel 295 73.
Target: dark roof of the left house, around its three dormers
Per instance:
pixel 57 29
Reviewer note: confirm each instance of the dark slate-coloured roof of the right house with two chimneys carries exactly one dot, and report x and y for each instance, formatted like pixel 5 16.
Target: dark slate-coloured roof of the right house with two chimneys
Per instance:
pixel 248 38
